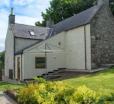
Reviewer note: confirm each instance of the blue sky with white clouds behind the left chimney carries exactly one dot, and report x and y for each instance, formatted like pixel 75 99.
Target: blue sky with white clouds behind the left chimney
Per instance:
pixel 26 11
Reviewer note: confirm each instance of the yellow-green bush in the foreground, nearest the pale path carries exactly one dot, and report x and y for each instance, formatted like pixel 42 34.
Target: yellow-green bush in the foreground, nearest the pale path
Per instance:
pixel 42 93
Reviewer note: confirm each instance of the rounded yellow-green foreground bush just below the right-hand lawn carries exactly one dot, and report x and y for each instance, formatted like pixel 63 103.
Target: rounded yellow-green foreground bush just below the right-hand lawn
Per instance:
pixel 81 95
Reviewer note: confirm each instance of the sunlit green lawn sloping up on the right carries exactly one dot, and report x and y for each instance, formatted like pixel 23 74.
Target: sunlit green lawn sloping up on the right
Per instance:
pixel 101 82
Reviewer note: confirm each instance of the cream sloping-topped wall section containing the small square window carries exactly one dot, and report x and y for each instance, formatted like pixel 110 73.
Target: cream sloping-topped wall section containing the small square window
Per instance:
pixel 55 56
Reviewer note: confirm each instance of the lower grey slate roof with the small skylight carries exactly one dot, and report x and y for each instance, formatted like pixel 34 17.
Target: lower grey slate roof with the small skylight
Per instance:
pixel 23 31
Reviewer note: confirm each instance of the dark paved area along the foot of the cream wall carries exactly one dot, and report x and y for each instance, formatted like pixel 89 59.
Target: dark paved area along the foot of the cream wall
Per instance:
pixel 68 73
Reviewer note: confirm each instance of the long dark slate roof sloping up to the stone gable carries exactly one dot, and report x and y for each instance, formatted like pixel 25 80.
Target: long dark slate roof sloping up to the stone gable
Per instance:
pixel 75 21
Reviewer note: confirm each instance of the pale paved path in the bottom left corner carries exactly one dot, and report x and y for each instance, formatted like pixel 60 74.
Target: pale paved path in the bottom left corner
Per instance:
pixel 4 99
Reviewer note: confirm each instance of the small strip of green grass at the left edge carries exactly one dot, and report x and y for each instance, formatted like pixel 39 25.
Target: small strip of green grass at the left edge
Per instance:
pixel 8 86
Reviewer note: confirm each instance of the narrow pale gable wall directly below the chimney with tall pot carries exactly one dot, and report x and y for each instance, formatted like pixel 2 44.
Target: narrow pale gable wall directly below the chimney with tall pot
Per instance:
pixel 9 52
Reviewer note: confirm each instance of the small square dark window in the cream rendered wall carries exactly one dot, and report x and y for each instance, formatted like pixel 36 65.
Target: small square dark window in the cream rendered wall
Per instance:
pixel 40 62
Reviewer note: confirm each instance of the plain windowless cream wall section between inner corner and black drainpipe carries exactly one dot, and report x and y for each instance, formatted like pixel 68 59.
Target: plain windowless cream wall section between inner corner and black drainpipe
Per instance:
pixel 75 49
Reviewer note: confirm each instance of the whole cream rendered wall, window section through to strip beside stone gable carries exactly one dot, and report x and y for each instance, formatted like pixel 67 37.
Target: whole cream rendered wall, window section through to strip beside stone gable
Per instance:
pixel 70 54
